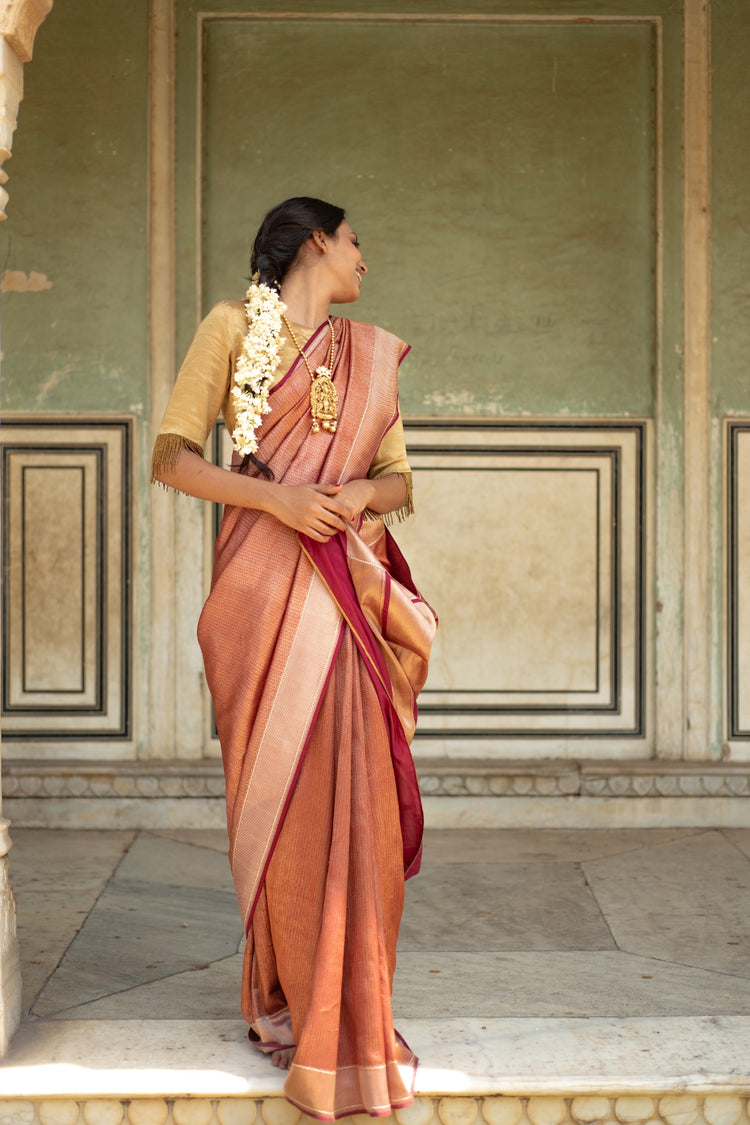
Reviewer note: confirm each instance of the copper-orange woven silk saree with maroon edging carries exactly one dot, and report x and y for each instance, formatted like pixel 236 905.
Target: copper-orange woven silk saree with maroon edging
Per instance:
pixel 314 655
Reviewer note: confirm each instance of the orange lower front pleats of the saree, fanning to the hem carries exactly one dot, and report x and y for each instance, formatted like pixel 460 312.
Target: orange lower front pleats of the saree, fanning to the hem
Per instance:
pixel 333 897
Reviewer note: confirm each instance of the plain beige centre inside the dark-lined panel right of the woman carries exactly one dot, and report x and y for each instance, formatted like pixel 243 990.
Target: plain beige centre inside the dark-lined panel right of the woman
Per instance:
pixel 523 554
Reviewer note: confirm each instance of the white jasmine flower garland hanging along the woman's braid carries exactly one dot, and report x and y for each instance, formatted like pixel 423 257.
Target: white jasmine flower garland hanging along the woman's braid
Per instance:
pixel 257 365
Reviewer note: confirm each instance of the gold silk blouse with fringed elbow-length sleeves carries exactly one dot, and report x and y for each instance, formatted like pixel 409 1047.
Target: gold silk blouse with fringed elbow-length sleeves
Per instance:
pixel 203 391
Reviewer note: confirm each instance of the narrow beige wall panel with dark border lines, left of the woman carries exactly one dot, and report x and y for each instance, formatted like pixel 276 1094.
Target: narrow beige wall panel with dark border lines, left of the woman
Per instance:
pixel 67 560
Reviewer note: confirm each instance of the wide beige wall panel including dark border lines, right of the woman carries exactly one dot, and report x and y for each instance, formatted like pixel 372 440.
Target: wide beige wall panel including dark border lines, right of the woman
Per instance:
pixel 529 542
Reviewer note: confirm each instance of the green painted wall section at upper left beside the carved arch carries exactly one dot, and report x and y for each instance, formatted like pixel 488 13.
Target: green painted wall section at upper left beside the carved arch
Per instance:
pixel 78 215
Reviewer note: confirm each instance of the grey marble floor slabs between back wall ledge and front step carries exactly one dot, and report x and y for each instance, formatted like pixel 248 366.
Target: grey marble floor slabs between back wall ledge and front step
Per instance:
pixel 538 930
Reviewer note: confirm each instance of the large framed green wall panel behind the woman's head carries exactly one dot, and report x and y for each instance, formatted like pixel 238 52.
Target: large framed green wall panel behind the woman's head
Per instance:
pixel 501 178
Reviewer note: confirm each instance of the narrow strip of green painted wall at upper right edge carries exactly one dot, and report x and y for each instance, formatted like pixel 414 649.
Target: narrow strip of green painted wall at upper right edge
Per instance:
pixel 731 208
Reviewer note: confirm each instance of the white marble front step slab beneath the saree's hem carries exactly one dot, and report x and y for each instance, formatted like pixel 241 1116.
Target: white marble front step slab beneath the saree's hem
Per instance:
pixel 511 1072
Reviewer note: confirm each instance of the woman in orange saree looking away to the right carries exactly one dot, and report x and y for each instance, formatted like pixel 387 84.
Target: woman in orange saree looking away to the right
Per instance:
pixel 315 644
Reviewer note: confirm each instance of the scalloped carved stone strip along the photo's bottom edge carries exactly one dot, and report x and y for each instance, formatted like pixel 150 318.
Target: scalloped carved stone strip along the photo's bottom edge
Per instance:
pixel 588 1109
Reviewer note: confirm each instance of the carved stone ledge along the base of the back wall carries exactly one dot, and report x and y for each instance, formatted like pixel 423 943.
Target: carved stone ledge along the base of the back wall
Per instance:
pixel 448 778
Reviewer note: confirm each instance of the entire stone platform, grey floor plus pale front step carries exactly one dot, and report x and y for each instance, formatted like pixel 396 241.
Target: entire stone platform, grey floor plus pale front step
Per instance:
pixel 545 978
